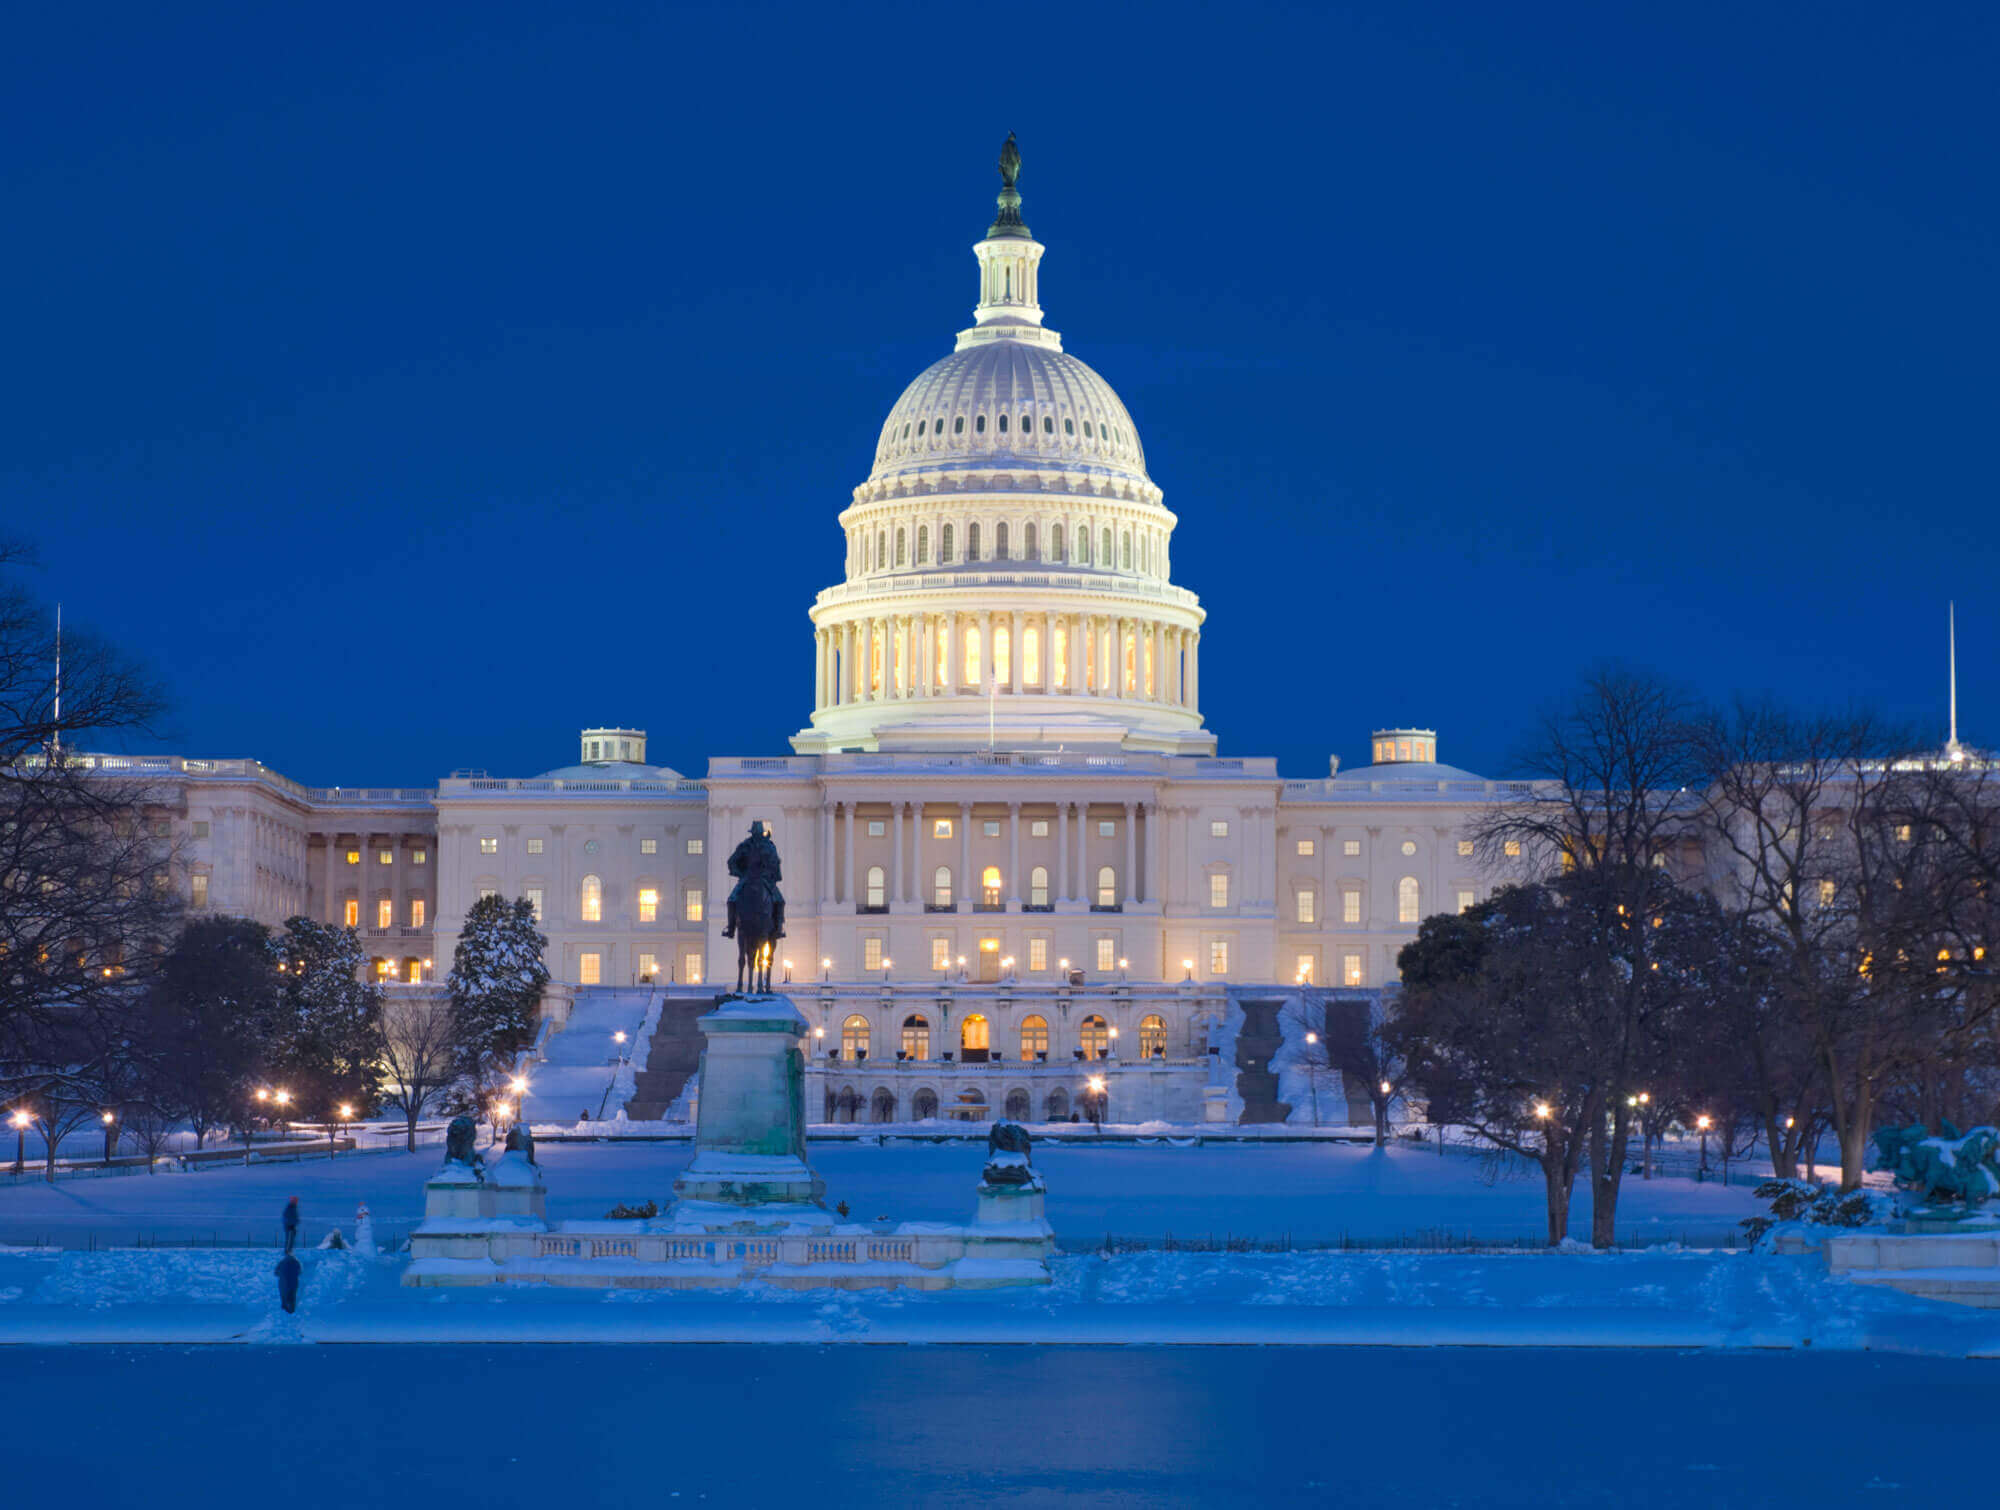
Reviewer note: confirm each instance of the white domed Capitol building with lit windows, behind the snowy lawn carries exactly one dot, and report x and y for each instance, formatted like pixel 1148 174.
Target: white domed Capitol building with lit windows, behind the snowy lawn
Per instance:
pixel 1013 851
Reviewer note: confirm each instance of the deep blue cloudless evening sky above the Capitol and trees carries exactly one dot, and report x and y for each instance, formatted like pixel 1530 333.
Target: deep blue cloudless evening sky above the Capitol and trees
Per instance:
pixel 417 385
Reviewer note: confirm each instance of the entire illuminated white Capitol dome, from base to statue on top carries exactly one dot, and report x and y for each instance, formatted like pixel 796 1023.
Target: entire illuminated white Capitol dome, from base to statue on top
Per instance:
pixel 1009 557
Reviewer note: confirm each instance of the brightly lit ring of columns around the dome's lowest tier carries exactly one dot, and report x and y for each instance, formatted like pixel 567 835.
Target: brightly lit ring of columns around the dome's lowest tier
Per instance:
pixel 901 657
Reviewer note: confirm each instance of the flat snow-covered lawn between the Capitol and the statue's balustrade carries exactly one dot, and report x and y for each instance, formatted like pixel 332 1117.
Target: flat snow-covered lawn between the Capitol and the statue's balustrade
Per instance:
pixel 1311 1195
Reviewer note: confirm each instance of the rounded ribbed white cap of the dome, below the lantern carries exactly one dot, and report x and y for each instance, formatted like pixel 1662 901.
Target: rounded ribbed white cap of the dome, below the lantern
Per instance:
pixel 1055 413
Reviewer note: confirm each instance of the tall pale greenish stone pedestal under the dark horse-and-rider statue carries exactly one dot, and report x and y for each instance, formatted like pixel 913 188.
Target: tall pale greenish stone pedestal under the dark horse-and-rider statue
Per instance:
pixel 751 1123
